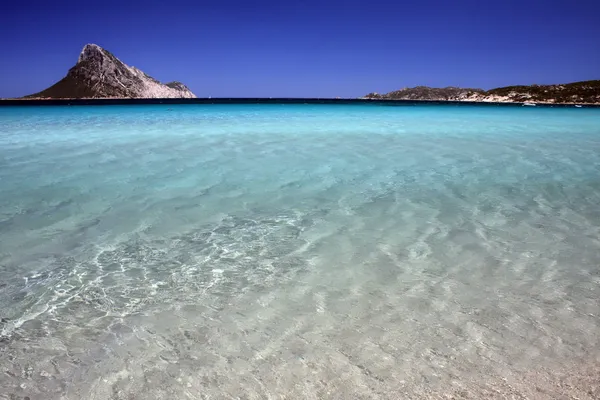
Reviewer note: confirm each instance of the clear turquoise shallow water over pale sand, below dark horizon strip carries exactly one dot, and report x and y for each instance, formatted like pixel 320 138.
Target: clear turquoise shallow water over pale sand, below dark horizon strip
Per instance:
pixel 299 251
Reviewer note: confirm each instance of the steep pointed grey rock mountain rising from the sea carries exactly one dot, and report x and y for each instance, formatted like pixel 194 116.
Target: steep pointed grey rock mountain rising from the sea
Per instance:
pixel 99 74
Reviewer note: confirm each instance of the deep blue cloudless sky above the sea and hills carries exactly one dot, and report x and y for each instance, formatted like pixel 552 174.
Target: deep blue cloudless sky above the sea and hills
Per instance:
pixel 306 48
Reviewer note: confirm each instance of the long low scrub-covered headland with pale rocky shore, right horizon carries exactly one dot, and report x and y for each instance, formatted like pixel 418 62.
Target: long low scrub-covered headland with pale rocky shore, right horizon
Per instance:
pixel 570 93
